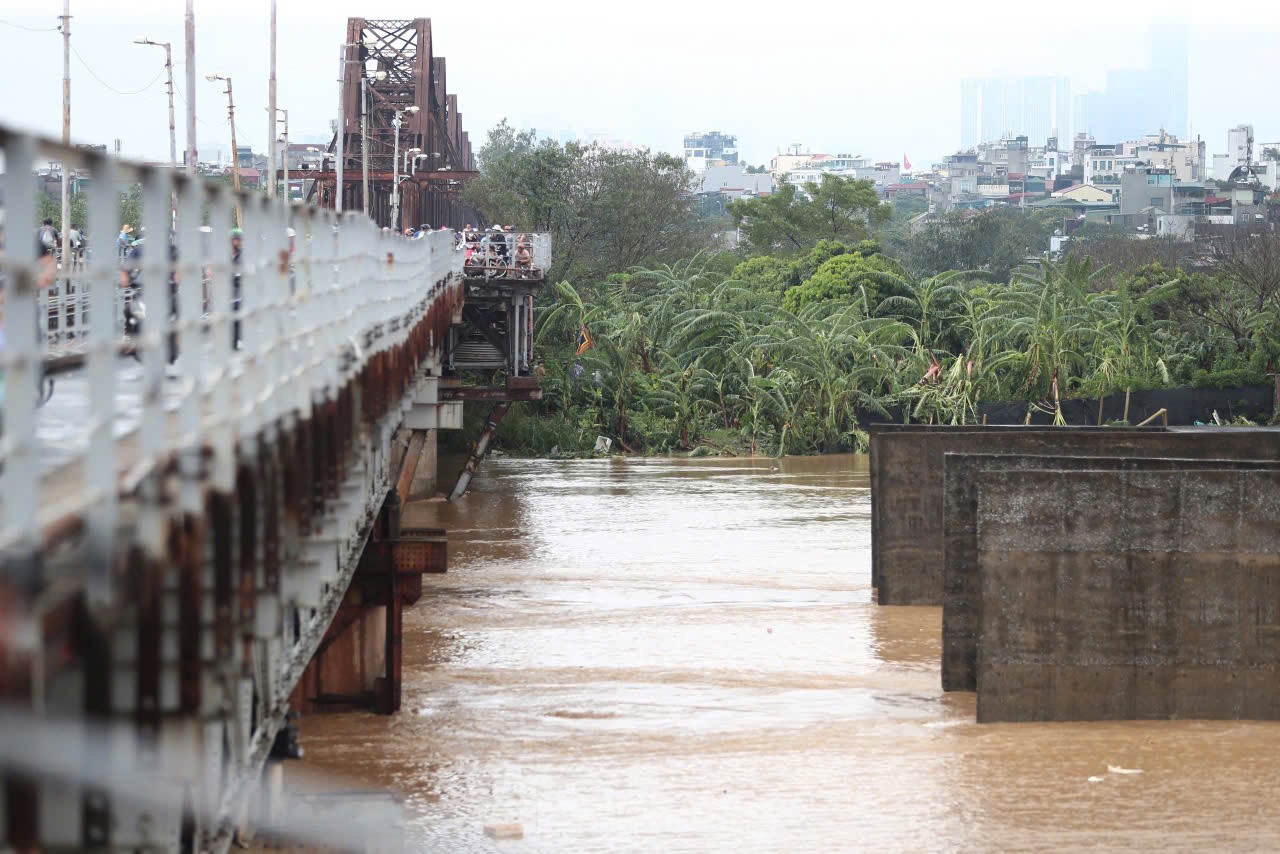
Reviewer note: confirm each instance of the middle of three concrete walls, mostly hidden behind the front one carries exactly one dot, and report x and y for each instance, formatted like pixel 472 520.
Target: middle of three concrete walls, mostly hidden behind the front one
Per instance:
pixel 962 602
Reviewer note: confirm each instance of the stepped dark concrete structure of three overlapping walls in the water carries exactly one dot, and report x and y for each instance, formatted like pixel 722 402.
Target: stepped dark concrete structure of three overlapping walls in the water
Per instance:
pixel 1087 574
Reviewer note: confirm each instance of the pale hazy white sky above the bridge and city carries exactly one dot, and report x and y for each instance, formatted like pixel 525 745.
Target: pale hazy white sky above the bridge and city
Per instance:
pixel 874 79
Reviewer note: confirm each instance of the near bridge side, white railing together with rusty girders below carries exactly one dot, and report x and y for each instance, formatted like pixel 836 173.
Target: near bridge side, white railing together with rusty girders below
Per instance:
pixel 179 523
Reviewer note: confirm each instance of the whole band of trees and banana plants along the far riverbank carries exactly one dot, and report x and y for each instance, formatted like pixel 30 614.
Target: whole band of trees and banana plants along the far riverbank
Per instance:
pixel 839 309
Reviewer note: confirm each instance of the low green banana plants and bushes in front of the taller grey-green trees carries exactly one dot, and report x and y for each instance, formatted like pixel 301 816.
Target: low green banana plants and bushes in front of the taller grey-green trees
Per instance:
pixel 793 353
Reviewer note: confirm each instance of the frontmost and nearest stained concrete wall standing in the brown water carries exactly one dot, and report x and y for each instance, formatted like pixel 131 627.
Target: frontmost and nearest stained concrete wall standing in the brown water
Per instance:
pixel 1130 595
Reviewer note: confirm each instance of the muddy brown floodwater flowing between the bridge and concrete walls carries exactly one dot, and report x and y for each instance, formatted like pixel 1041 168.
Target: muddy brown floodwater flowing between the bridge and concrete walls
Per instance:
pixel 684 656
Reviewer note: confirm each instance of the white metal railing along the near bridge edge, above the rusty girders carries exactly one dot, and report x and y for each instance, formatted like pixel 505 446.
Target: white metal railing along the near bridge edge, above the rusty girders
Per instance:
pixel 309 321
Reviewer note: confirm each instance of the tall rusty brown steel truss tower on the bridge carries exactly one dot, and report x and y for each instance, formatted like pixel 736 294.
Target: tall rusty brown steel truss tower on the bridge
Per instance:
pixel 392 68
